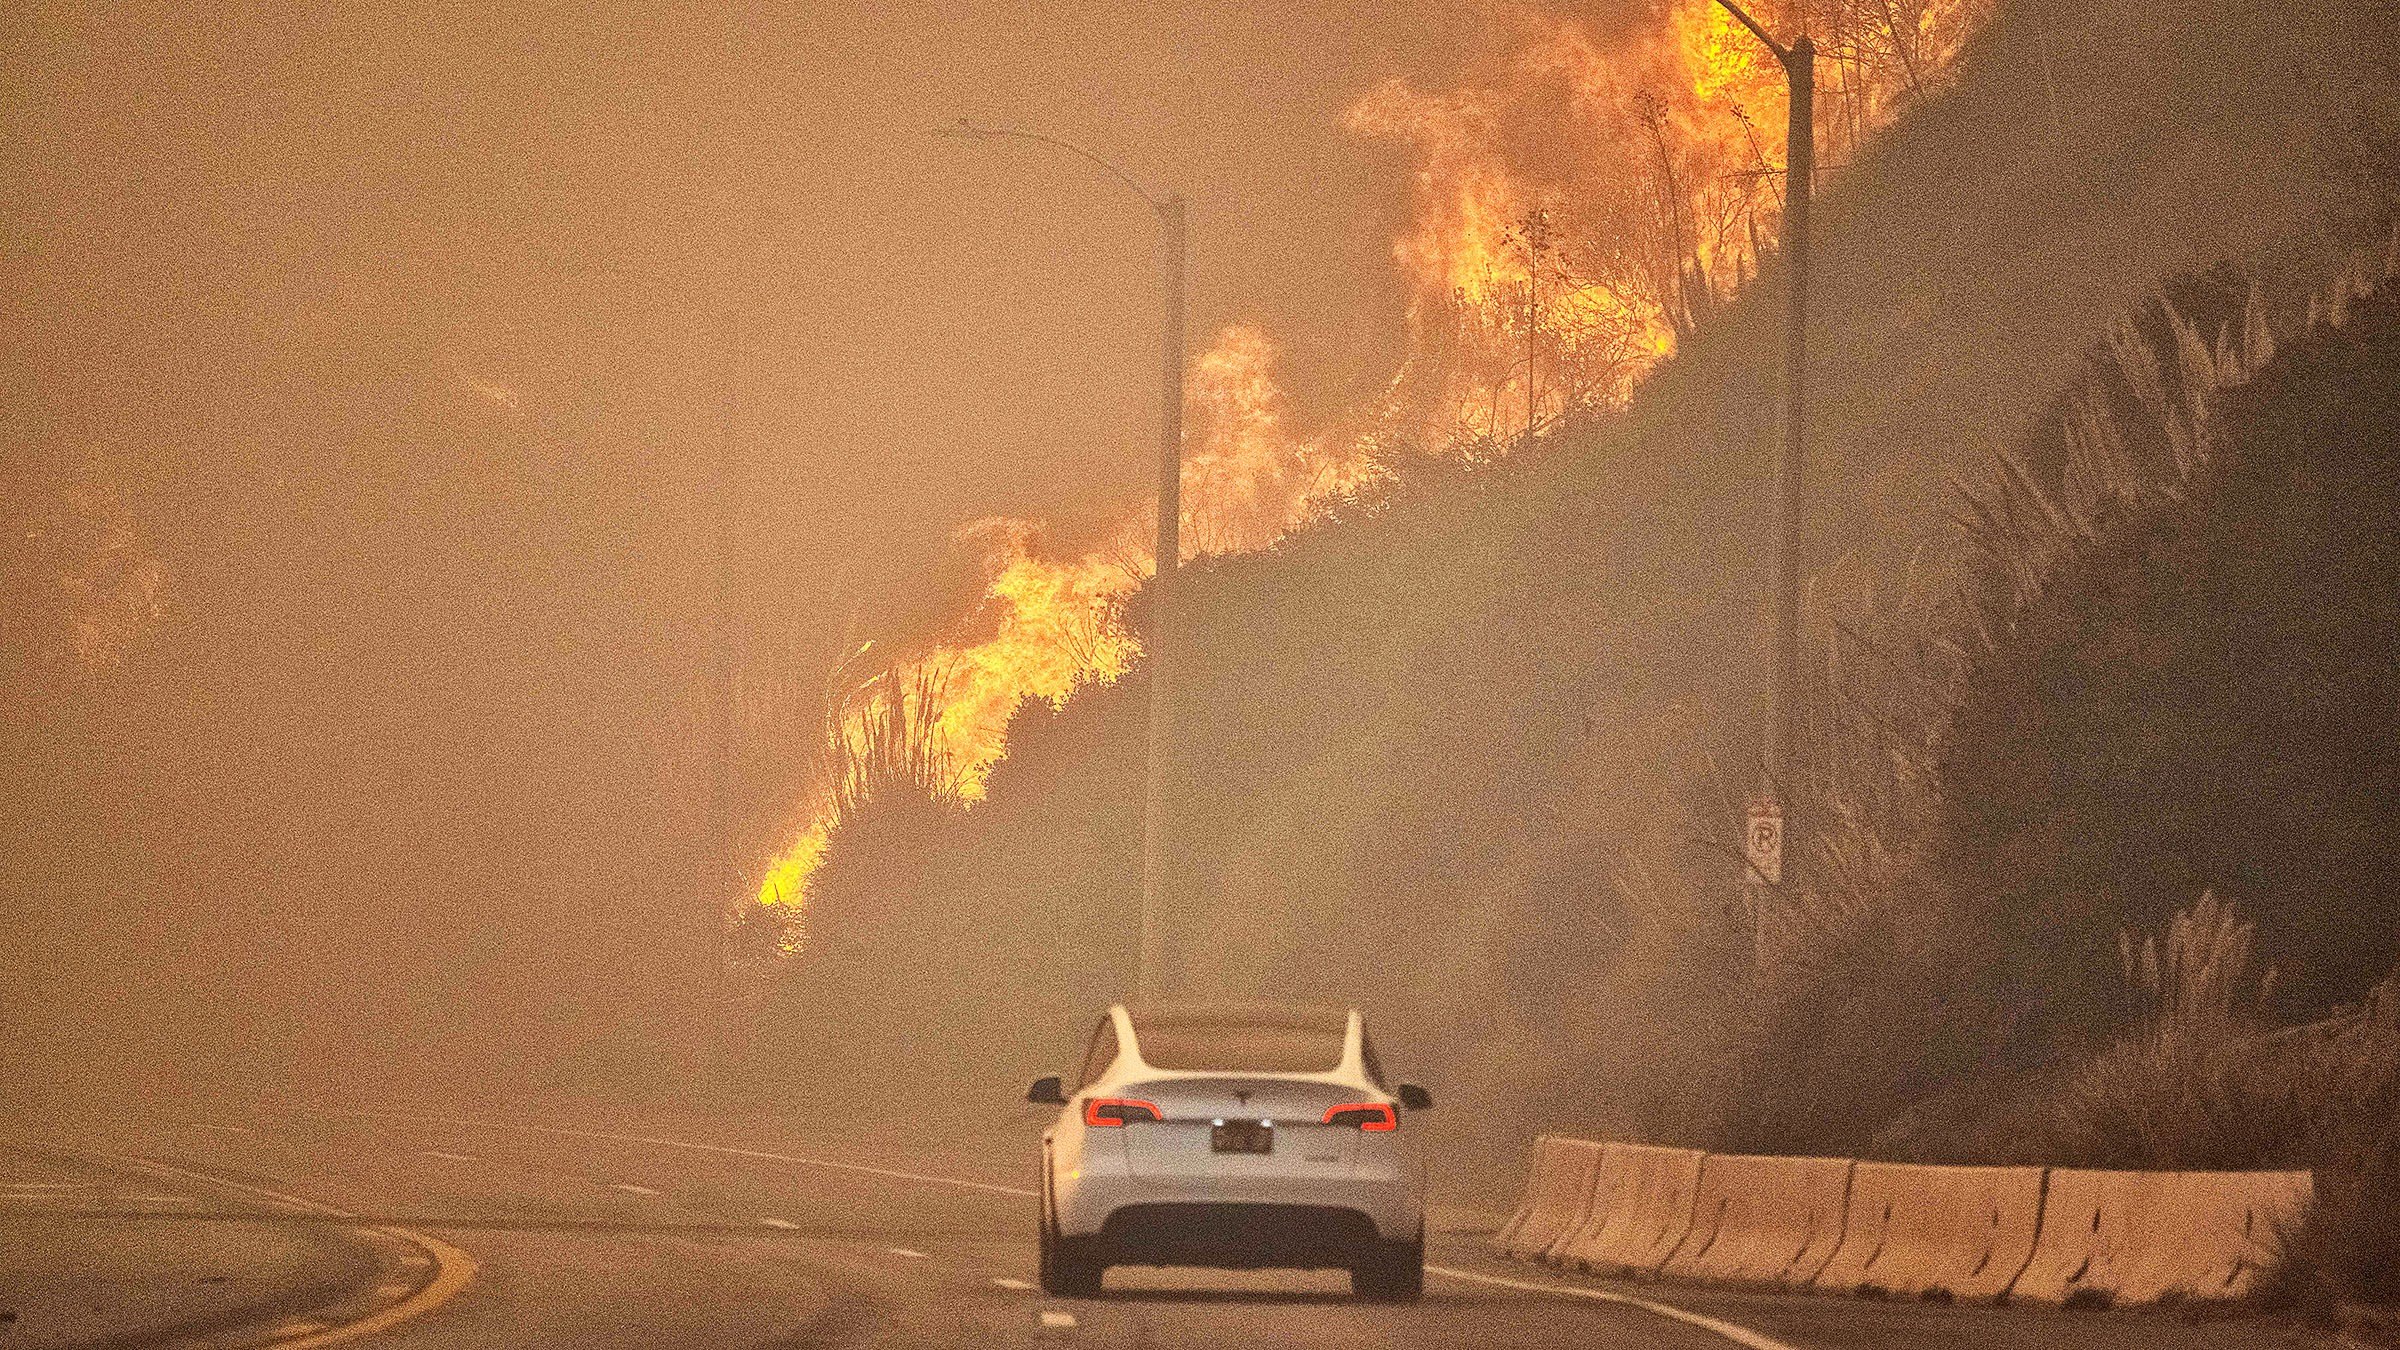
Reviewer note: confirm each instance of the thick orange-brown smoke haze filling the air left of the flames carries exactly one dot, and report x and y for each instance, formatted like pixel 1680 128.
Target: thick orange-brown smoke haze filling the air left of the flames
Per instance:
pixel 402 345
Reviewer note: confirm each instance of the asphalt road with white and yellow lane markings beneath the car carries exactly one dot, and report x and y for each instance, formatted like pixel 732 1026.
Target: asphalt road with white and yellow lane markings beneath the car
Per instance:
pixel 292 1226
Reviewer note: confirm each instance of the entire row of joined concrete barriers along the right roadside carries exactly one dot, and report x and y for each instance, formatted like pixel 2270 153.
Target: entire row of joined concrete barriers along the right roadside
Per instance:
pixel 1964 1233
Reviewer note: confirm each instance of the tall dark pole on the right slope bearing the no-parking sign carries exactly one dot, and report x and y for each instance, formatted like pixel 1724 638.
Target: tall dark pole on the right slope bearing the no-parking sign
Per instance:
pixel 1799 181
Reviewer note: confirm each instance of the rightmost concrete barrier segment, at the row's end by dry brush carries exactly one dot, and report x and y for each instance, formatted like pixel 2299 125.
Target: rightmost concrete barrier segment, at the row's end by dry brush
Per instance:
pixel 2130 1238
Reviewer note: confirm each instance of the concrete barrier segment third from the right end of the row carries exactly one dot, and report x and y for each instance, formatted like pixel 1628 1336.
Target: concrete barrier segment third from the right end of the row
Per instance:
pixel 1770 1221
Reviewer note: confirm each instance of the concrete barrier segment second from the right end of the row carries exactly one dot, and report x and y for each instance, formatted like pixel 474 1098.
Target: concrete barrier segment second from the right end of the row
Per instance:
pixel 1916 1231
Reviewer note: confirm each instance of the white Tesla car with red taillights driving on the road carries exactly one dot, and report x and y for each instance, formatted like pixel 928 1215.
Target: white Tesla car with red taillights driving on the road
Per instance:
pixel 1232 1135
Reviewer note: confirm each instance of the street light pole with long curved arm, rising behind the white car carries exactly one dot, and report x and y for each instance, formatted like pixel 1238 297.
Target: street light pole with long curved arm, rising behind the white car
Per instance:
pixel 1175 249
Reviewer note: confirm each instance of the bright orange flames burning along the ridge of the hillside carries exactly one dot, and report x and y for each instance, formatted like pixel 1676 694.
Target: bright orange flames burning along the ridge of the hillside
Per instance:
pixel 1578 210
